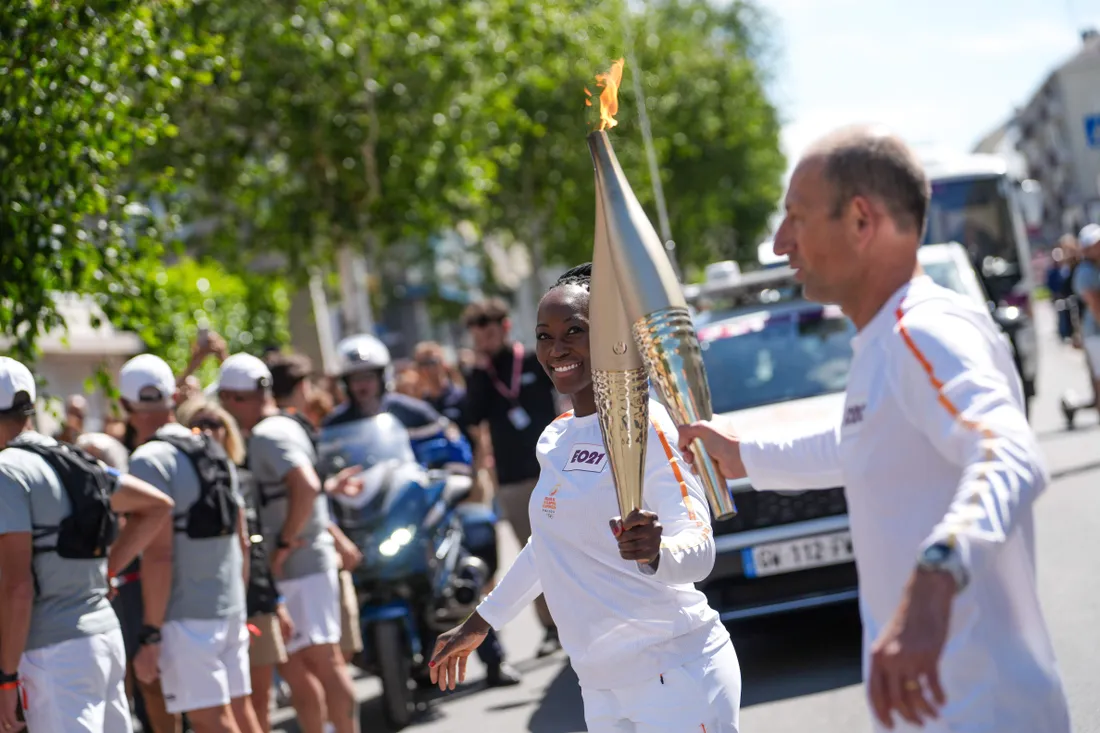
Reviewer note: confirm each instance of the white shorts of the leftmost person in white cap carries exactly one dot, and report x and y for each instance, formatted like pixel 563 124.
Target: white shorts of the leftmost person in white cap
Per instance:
pixel 78 686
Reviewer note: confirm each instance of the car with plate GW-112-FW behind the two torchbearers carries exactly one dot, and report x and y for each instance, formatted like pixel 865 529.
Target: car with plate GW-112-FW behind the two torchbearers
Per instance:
pixel 785 366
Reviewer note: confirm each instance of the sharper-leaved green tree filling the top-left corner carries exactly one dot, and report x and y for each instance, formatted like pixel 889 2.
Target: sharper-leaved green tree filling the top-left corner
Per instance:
pixel 83 85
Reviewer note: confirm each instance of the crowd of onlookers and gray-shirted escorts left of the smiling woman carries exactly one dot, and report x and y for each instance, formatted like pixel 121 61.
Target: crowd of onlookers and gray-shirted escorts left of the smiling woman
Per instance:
pixel 251 592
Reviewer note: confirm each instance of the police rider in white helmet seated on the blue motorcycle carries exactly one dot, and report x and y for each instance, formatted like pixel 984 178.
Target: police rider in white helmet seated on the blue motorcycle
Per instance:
pixel 366 368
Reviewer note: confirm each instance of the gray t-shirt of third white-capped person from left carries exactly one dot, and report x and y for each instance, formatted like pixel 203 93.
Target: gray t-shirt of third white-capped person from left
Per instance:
pixel 278 446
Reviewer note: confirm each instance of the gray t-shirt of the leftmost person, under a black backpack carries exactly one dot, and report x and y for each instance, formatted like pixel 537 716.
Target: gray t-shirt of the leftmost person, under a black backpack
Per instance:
pixel 71 601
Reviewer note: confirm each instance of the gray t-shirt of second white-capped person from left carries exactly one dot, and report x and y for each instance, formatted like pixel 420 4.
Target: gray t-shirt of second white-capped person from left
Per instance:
pixel 207 578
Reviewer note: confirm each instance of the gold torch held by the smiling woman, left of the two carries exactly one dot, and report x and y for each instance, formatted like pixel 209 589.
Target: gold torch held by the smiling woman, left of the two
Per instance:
pixel 619 378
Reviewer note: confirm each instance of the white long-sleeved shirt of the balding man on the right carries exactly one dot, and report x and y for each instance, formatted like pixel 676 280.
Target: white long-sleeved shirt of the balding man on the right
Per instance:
pixel 934 446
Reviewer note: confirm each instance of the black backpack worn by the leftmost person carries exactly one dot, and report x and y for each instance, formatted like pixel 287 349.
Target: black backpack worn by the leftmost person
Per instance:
pixel 91 528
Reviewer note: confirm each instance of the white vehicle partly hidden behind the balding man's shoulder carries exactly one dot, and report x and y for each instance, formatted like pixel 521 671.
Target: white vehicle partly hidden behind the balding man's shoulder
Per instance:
pixel 950 267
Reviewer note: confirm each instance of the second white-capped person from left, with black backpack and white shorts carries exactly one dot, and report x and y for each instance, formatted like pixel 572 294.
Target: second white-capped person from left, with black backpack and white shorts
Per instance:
pixel 195 638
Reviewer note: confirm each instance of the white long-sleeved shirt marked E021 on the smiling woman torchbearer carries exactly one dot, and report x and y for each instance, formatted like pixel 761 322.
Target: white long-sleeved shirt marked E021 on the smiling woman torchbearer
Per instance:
pixel 619 625
